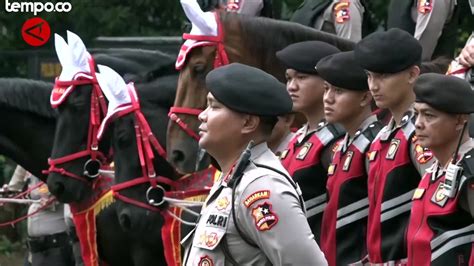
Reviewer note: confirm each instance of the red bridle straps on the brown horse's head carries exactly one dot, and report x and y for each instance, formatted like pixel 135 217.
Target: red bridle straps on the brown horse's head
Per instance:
pixel 220 59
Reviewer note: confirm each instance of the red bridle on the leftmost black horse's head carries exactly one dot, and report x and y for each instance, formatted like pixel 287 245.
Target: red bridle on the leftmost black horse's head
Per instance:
pixel 97 112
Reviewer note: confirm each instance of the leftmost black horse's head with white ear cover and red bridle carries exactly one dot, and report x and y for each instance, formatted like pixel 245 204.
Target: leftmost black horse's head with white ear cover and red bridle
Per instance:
pixel 75 157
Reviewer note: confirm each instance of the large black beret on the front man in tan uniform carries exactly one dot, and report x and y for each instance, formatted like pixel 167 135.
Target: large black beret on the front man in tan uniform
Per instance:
pixel 249 90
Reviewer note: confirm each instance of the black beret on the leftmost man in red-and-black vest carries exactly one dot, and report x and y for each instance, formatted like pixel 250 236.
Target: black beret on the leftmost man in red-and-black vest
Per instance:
pixel 303 56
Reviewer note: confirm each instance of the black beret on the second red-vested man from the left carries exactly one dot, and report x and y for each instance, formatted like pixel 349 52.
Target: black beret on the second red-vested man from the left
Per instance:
pixel 341 70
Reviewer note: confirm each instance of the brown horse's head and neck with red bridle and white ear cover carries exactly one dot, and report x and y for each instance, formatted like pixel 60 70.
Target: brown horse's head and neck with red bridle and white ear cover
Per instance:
pixel 230 38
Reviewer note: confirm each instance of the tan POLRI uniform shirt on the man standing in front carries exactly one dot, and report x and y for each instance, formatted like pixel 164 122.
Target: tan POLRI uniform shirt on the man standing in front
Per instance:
pixel 269 214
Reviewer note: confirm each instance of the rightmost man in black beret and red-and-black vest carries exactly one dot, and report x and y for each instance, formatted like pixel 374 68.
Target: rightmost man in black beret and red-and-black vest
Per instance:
pixel 441 229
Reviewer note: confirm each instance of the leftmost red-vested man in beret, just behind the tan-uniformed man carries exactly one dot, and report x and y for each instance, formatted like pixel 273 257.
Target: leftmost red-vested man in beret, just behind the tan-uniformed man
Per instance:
pixel 309 152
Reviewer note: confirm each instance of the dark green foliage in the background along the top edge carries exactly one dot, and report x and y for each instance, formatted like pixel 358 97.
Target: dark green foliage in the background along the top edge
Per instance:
pixel 91 18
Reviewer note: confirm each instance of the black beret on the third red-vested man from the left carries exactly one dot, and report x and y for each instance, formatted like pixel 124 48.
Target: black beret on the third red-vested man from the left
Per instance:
pixel 391 51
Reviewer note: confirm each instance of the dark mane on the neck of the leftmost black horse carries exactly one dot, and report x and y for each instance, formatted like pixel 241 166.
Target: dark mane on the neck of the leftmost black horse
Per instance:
pixel 27 95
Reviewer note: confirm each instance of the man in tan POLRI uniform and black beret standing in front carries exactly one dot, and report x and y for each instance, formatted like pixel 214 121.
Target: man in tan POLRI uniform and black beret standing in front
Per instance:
pixel 254 213
